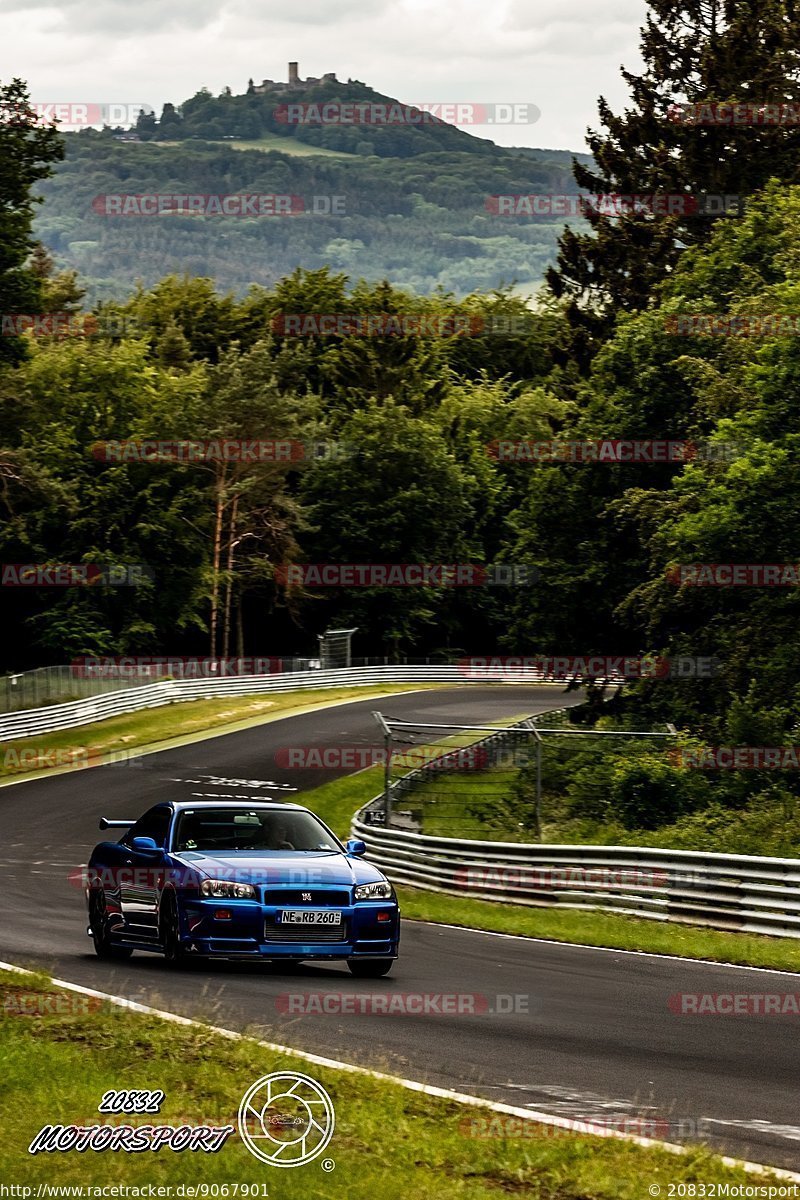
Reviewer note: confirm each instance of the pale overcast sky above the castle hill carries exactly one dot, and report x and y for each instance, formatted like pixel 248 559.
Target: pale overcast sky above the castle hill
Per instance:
pixel 556 55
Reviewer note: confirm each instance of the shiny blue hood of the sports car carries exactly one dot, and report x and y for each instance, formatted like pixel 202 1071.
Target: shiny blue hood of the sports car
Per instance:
pixel 275 868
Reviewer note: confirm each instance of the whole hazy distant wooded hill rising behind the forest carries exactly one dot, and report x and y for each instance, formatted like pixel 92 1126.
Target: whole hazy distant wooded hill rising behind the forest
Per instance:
pixel 412 203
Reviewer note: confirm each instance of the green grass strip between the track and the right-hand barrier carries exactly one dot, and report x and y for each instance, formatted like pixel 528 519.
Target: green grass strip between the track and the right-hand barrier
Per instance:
pixel 339 801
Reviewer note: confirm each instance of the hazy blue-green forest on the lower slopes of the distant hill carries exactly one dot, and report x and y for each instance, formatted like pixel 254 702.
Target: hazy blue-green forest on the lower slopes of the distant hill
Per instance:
pixel 420 221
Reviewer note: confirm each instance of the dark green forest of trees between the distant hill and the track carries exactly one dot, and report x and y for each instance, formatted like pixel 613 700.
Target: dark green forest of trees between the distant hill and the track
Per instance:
pixel 607 355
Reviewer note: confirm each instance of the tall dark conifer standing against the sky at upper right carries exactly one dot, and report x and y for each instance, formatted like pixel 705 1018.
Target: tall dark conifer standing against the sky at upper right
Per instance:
pixel 702 52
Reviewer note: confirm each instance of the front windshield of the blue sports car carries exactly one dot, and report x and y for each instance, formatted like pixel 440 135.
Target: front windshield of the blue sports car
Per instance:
pixel 263 830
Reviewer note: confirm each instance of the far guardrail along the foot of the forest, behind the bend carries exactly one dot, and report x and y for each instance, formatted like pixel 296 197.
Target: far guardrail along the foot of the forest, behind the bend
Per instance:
pixel 171 692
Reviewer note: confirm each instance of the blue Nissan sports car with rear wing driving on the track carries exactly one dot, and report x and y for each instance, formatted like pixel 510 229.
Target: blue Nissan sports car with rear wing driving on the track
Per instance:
pixel 222 879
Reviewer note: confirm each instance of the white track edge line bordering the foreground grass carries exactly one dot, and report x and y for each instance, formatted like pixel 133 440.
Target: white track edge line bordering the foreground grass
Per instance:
pixel 410 1084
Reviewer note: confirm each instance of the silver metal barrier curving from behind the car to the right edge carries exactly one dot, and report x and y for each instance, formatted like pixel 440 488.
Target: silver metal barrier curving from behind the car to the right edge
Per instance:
pixel 731 892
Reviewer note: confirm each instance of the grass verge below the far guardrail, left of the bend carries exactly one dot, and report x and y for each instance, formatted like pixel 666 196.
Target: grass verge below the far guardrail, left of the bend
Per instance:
pixel 111 740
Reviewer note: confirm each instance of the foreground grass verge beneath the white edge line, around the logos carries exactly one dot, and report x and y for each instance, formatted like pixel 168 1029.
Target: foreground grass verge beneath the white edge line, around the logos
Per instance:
pixel 389 1142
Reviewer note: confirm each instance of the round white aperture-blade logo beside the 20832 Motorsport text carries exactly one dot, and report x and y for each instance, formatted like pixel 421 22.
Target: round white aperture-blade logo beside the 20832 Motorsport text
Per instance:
pixel 286 1119
